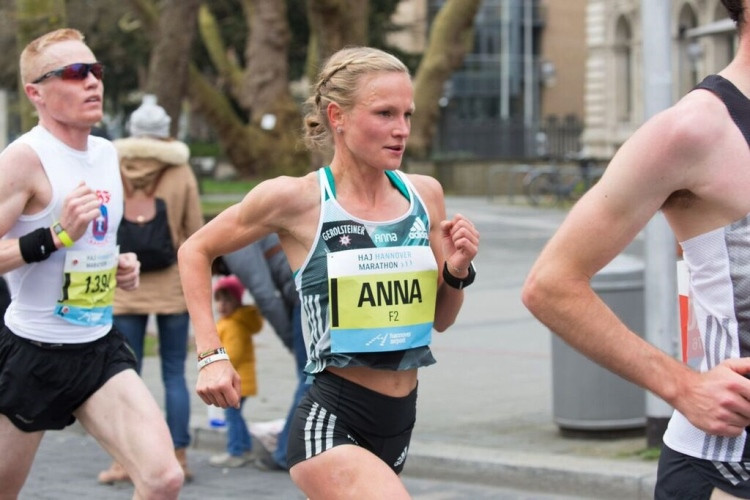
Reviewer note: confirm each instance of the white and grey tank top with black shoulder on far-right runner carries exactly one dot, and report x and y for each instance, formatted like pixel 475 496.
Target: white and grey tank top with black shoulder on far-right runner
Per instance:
pixel 719 296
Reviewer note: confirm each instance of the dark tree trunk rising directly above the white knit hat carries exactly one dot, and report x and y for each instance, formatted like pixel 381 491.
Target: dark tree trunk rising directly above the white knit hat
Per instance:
pixel 168 67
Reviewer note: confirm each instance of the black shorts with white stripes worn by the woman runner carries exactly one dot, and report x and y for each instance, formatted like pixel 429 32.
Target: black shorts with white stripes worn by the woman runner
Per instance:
pixel 336 411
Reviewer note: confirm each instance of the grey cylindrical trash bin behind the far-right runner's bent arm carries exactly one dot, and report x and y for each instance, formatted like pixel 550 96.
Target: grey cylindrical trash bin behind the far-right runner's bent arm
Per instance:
pixel 587 397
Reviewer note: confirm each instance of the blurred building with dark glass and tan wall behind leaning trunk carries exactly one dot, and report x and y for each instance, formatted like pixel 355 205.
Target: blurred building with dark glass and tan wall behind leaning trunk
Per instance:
pixel 519 94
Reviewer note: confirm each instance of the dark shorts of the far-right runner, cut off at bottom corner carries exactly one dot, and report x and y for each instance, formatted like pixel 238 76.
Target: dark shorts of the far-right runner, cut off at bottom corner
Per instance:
pixel 688 478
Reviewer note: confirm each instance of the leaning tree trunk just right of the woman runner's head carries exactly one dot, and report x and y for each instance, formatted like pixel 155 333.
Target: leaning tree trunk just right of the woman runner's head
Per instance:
pixel 451 37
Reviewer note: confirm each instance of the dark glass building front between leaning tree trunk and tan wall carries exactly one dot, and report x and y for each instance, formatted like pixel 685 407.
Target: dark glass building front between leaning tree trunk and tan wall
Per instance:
pixel 490 107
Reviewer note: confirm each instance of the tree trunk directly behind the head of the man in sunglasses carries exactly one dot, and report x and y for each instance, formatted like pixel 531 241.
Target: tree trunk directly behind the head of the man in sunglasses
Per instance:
pixel 35 18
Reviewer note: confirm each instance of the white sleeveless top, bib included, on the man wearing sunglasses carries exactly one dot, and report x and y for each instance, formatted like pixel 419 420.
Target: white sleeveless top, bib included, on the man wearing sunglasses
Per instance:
pixel 68 297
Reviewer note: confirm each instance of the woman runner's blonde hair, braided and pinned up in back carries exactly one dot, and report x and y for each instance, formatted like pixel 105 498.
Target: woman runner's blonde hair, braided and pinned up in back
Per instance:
pixel 337 82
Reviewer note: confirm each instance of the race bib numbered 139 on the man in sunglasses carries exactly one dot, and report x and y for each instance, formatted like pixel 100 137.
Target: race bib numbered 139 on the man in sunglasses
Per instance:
pixel 88 287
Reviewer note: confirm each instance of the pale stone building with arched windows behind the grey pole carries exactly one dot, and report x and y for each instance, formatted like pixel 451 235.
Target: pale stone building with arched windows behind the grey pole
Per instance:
pixel 703 42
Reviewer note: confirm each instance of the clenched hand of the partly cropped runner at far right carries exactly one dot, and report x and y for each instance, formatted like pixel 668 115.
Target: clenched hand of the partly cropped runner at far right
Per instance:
pixel 718 401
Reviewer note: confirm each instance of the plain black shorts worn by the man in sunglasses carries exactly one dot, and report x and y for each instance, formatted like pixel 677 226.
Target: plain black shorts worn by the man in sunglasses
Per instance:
pixel 41 385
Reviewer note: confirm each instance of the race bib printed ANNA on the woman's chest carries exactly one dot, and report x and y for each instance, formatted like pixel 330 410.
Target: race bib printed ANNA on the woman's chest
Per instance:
pixel 381 299
